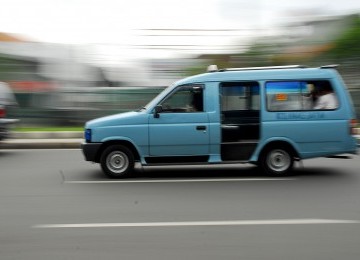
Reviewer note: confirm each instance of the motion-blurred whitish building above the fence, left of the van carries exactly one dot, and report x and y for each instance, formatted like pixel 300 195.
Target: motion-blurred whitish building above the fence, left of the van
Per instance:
pixel 28 65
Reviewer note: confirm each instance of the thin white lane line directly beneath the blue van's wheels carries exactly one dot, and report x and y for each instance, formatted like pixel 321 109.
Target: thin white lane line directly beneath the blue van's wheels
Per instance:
pixel 182 180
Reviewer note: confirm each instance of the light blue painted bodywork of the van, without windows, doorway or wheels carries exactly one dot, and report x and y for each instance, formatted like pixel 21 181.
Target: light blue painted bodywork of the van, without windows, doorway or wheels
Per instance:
pixel 310 133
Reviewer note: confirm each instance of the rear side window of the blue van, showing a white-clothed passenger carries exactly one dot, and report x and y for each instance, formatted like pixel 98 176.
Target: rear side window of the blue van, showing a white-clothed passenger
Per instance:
pixel 300 95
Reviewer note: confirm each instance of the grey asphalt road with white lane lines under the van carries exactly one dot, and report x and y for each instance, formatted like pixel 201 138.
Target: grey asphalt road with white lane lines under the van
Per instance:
pixel 54 205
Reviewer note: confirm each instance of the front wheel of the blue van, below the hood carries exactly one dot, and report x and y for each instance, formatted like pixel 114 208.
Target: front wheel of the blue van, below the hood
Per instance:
pixel 117 161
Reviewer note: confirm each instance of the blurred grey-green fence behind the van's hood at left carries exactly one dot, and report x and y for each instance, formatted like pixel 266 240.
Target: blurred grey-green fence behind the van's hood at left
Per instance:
pixel 76 106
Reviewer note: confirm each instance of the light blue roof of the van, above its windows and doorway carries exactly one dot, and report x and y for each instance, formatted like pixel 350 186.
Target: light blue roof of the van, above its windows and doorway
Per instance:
pixel 263 73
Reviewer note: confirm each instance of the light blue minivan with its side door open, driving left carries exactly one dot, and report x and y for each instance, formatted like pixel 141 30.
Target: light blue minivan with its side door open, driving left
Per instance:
pixel 268 116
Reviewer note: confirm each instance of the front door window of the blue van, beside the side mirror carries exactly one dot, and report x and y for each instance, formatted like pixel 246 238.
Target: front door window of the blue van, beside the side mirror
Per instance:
pixel 185 99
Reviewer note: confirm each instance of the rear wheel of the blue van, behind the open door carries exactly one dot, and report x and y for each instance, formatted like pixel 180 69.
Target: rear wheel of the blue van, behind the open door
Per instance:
pixel 277 161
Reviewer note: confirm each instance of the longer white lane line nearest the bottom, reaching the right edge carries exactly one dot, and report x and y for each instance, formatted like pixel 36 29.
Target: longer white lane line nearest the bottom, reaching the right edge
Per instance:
pixel 204 223
